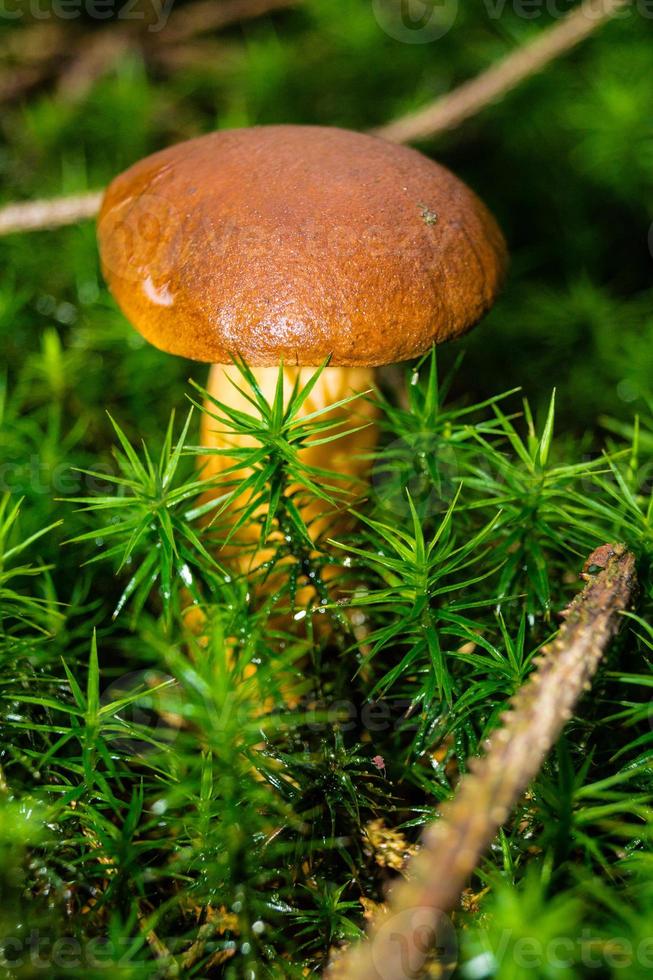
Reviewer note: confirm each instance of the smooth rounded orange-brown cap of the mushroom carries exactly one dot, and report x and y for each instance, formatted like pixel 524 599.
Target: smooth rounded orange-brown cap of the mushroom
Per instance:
pixel 296 243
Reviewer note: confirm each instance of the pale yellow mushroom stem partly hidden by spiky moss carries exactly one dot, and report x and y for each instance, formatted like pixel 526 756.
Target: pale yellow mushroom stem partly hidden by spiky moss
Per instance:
pixel 347 457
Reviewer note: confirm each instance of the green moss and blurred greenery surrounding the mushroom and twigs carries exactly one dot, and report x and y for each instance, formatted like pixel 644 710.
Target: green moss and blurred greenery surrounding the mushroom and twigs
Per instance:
pixel 165 805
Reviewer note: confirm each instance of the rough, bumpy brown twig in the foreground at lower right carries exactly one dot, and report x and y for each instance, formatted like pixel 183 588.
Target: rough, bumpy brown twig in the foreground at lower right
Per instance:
pixel 452 846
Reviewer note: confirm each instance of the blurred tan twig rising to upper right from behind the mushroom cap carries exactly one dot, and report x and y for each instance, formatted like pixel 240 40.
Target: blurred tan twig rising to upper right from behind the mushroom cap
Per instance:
pixel 473 96
